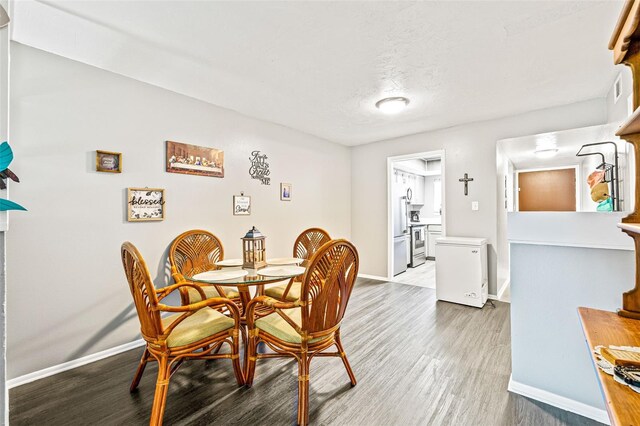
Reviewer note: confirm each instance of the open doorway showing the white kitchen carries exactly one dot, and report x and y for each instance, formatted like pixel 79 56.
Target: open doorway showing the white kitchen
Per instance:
pixel 416 216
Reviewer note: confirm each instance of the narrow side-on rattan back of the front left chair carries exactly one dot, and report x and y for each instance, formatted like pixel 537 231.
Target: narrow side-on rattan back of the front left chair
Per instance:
pixel 142 290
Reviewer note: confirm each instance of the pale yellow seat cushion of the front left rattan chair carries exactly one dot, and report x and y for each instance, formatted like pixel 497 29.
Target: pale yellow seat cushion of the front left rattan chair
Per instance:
pixel 204 323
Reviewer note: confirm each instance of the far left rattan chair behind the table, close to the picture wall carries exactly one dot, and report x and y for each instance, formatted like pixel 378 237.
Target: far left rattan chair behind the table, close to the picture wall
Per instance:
pixel 193 252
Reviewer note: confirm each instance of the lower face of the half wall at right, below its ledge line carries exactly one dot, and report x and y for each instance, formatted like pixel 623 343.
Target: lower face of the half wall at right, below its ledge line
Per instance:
pixel 549 352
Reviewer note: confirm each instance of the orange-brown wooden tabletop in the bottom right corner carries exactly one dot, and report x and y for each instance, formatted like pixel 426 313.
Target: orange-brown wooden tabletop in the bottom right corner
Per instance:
pixel 608 328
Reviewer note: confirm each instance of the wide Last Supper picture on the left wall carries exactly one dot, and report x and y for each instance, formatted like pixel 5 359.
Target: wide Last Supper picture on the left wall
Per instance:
pixel 194 160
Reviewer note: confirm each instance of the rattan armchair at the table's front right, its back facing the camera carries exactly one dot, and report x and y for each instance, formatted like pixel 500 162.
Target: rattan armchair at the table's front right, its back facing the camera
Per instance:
pixel 307 327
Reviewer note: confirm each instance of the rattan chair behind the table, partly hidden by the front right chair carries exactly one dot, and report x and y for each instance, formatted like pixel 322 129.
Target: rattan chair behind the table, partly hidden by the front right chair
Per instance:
pixel 307 243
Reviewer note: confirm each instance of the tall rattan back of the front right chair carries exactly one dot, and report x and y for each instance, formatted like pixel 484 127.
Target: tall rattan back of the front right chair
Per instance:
pixel 327 286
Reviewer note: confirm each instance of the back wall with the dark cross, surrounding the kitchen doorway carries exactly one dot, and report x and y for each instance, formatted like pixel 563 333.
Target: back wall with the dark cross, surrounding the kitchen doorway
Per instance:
pixel 470 148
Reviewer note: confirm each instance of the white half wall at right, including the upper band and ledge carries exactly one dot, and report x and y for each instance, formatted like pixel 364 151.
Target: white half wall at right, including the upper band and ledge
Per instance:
pixel 560 261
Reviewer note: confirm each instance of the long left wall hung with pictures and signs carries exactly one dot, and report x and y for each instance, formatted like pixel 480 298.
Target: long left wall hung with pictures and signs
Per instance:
pixel 67 294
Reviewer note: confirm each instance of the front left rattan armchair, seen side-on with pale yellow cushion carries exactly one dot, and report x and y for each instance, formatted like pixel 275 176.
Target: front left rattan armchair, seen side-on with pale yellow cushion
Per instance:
pixel 193 331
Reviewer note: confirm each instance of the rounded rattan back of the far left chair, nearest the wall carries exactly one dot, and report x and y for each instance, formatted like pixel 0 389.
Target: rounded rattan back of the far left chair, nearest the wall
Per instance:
pixel 195 251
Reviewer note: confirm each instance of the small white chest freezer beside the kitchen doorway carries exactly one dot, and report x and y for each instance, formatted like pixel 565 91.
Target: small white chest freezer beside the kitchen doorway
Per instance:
pixel 461 270
